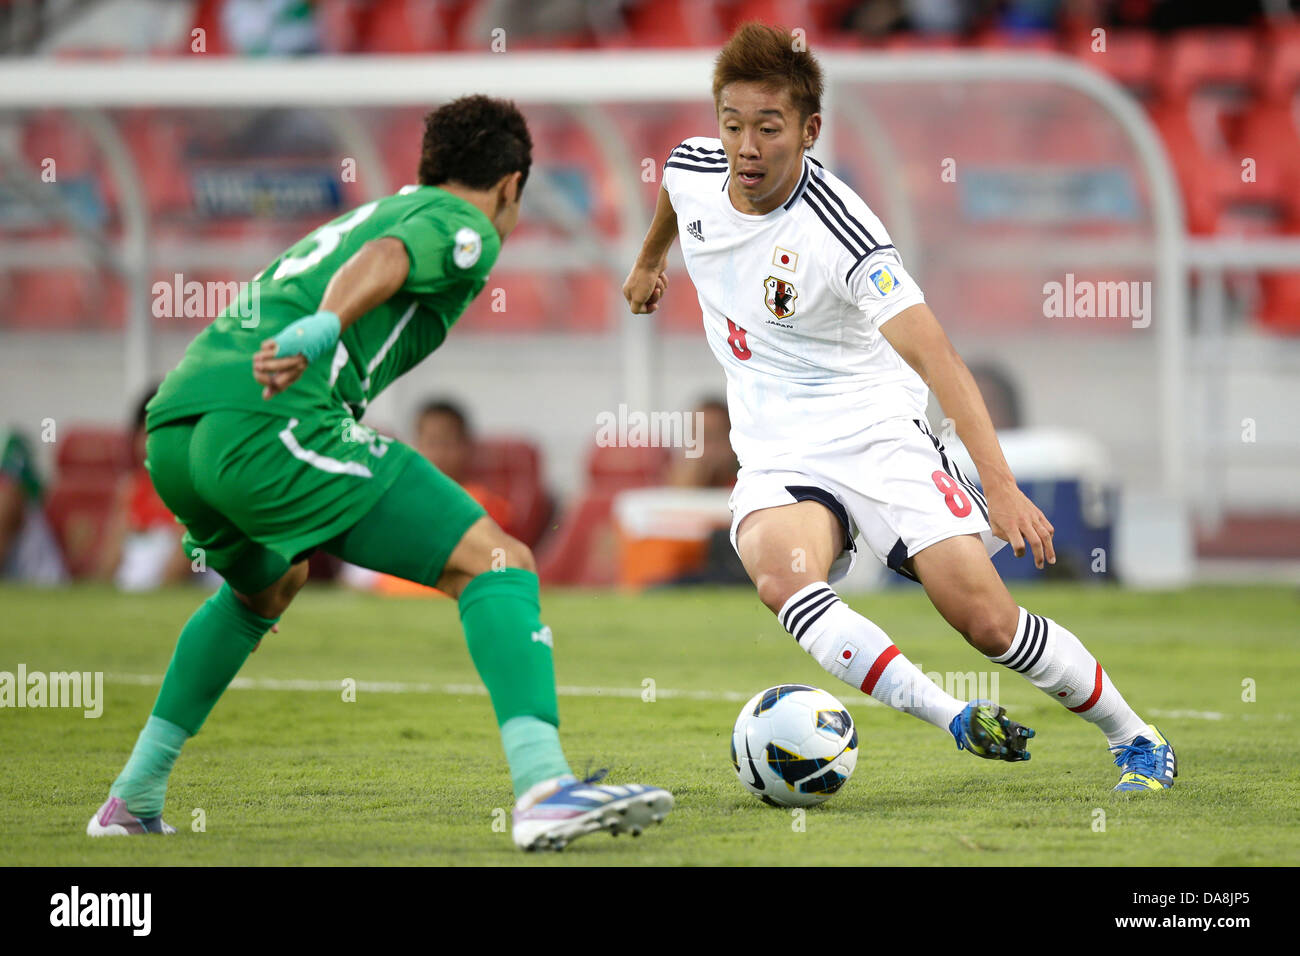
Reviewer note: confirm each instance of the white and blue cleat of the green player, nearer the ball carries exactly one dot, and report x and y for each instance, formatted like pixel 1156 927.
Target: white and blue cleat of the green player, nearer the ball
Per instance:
pixel 578 808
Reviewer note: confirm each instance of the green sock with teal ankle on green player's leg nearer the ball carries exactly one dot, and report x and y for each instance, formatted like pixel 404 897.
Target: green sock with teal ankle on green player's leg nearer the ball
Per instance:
pixel 512 650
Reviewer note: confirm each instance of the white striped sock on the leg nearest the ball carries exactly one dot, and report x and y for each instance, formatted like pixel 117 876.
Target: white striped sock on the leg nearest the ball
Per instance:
pixel 861 655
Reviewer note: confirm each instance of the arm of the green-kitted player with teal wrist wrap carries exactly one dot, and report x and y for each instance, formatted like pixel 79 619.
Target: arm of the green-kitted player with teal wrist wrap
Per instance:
pixel 370 278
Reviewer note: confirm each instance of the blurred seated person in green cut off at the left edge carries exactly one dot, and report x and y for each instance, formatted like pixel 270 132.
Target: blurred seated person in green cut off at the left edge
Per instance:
pixel 28 550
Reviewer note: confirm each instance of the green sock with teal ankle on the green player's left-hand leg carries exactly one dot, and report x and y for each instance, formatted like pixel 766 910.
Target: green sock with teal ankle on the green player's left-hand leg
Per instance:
pixel 213 648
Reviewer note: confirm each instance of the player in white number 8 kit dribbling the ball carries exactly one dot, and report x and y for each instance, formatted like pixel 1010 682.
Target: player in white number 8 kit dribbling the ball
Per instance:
pixel 830 353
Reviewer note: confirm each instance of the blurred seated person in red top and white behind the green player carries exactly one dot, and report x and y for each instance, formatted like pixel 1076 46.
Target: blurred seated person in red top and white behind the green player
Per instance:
pixel 142 542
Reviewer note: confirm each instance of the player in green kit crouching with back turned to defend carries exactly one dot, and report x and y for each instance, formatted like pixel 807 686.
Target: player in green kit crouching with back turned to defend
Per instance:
pixel 255 444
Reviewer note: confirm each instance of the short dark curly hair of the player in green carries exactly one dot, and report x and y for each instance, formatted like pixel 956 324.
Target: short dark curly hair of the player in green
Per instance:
pixel 475 141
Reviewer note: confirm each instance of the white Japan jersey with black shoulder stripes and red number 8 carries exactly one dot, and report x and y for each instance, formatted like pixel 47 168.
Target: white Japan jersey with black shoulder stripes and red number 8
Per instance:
pixel 794 304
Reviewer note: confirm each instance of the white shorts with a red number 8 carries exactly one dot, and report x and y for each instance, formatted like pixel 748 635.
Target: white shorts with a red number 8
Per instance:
pixel 898 490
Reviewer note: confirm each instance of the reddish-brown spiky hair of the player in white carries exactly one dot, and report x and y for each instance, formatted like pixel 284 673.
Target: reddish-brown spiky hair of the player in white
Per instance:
pixel 769 55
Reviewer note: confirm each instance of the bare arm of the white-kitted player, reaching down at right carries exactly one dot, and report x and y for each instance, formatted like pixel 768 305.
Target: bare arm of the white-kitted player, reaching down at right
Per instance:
pixel 922 343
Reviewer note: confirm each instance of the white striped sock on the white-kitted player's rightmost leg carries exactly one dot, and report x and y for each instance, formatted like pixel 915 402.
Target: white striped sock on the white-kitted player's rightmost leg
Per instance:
pixel 1056 663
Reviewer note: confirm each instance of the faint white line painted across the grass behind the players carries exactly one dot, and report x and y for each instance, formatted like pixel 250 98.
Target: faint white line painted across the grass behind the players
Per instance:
pixel 564 691
